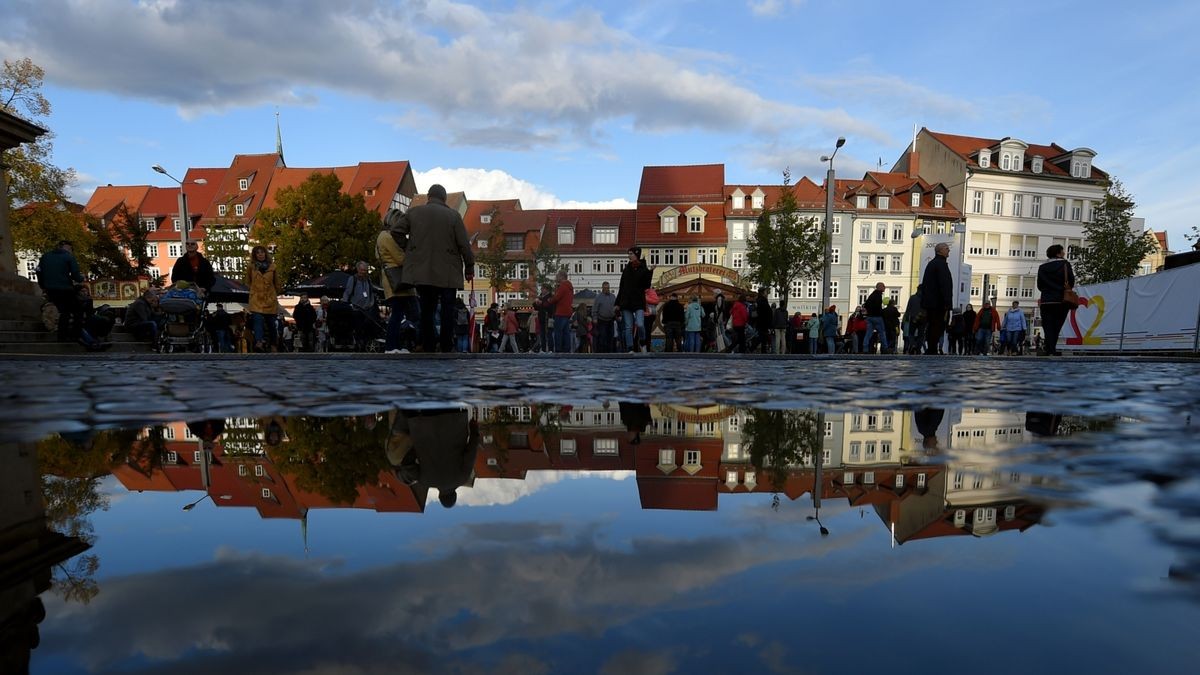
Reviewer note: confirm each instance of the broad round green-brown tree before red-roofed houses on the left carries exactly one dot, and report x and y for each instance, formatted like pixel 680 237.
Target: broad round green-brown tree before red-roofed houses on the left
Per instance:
pixel 317 229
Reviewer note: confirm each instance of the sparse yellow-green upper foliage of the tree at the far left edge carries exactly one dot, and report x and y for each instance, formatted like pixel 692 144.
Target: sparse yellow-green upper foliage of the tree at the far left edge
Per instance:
pixel 28 169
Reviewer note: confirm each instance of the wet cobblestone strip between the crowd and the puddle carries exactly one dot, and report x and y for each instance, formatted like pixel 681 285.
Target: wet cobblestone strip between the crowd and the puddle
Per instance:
pixel 49 395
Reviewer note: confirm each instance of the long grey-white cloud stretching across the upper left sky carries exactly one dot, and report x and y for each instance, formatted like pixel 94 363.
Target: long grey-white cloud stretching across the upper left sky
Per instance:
pixel 499 79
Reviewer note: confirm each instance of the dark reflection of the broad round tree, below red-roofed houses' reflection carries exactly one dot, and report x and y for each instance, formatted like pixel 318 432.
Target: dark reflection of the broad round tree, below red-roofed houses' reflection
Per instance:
pixel 333 457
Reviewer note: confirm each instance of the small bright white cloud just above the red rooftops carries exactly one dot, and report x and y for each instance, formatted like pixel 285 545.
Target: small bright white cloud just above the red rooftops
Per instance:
pixel 495 184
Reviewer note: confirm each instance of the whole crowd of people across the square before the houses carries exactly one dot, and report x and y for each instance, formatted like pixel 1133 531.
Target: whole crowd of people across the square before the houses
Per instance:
pixel 427 260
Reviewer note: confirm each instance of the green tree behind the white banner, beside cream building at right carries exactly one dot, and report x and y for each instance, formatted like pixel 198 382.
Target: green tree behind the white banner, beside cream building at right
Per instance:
pixel 1114 252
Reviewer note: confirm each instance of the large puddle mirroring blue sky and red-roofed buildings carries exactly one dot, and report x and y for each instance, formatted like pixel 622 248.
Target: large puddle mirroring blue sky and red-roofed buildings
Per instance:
pixel 641 539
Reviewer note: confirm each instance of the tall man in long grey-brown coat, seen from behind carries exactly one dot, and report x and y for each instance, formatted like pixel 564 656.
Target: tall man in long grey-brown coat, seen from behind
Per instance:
pixel 437 261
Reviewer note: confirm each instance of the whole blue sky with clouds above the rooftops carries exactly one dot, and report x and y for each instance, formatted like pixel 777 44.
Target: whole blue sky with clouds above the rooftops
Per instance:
pixel 559 103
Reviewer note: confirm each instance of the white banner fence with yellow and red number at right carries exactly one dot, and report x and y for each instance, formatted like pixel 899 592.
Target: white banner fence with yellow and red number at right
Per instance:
pixel 1162 313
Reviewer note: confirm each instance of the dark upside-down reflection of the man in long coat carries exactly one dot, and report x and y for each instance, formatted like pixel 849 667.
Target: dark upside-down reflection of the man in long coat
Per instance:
pixel 435 449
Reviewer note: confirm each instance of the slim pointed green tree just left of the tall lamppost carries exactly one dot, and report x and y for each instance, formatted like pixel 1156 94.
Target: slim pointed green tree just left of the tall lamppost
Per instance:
pixel 784 247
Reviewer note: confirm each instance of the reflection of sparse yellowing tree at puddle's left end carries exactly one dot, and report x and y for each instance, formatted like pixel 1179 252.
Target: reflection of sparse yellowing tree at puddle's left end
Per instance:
pixel 71 468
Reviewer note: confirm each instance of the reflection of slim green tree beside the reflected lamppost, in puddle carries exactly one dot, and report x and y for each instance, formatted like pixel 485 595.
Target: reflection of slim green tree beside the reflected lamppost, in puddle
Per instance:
pixel 779 440
